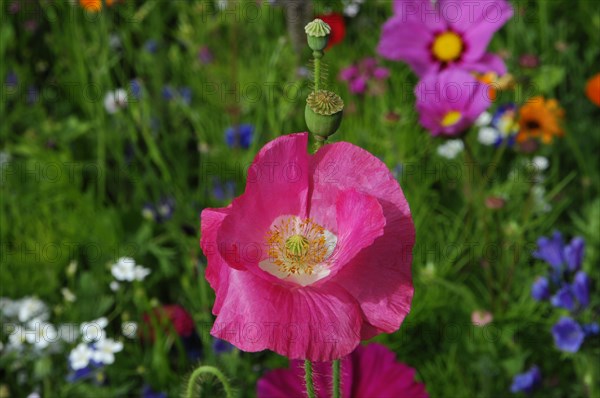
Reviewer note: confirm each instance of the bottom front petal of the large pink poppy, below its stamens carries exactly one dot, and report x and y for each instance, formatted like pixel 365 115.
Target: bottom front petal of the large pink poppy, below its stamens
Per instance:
pixel 313 323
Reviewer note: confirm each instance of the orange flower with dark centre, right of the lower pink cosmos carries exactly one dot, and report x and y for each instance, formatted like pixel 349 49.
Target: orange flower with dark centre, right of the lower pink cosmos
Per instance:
pixel 540 118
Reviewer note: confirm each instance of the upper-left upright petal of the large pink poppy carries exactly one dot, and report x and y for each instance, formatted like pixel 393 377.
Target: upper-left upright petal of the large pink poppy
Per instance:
pixel 277 185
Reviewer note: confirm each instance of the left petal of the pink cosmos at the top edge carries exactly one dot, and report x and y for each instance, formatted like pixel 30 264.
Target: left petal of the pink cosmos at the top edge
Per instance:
pixel 407 41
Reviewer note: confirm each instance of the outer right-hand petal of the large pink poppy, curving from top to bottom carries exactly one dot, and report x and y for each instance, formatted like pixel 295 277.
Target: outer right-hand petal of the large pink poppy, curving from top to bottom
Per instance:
pixel 379 277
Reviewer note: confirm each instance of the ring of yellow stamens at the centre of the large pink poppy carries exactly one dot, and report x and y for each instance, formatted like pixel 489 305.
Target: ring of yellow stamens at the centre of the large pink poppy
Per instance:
pixel 297 245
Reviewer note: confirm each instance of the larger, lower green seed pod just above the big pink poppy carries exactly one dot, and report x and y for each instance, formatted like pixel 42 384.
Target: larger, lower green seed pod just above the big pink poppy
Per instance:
pixel 323 113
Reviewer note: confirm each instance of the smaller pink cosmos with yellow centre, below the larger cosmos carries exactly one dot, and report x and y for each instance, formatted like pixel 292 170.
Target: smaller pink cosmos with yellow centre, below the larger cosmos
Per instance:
pixel 450 102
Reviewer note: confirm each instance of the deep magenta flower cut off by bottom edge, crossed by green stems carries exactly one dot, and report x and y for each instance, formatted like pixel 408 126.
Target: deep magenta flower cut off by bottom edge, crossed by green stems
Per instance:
pixel 370 371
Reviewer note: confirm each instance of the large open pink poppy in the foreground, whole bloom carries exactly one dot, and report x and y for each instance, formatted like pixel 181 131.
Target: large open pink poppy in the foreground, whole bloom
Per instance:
pixel 314 256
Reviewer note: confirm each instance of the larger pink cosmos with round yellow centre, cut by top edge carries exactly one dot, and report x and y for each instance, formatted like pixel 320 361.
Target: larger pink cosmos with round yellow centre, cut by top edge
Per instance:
pixel 431 37
